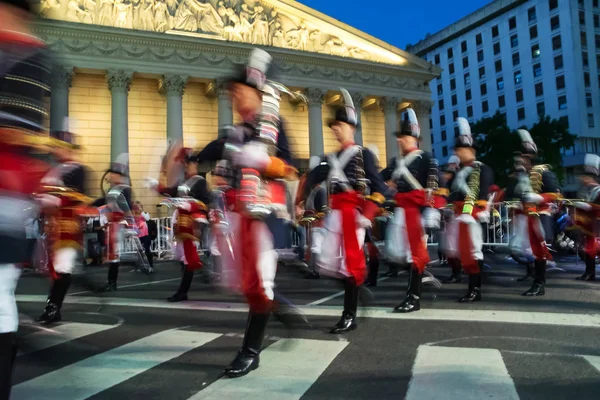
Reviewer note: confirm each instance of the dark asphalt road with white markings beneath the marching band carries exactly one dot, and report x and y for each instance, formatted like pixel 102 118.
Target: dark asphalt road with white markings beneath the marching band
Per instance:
pixel 132 344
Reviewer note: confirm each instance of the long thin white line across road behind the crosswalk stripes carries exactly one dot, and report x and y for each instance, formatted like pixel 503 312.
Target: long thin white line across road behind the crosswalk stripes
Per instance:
pixel 516 317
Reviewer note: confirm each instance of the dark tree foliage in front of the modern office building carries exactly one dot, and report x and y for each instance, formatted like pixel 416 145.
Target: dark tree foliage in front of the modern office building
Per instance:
pixel 497 143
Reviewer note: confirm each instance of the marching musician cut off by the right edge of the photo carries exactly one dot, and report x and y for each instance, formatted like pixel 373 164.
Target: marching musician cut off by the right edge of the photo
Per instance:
pixel 587 215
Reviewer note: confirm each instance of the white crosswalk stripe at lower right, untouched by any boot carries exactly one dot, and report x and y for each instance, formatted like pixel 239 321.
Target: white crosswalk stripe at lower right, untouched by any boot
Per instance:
pixel 459 373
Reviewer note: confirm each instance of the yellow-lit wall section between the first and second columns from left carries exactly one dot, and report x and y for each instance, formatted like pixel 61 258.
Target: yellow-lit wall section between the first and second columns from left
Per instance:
pixel 89 109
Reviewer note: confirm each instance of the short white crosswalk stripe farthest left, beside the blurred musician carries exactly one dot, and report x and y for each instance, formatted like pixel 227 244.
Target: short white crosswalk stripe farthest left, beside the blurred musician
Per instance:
pixel 60 334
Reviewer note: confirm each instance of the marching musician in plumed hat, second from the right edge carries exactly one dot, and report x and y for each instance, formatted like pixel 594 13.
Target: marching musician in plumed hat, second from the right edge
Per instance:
pixel 537 187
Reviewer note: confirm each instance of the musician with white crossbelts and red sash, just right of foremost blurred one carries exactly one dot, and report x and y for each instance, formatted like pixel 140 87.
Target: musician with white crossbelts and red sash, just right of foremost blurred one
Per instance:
pixel 348 172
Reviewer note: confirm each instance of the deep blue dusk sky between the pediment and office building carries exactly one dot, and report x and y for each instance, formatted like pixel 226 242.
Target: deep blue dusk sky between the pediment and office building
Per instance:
pixel 398 22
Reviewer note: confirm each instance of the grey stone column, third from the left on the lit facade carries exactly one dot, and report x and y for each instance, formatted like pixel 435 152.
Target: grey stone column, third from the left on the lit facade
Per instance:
pixel 173 87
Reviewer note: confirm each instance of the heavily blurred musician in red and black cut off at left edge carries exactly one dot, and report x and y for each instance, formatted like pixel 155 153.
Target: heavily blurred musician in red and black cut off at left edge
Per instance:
pixel 23 109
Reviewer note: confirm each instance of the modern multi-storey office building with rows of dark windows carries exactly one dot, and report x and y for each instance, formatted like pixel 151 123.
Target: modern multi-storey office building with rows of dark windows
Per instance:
pixel 524 58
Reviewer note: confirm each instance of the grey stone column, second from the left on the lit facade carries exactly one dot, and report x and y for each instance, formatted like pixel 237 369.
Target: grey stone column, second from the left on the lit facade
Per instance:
pixel 118 84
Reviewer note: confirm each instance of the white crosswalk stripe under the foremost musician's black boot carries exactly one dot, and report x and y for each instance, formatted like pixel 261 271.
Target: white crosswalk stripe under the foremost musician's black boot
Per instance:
pixel 287 370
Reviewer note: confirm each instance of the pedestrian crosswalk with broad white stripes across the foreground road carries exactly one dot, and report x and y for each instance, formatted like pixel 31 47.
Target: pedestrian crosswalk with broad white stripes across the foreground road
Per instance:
pixel 290 369
